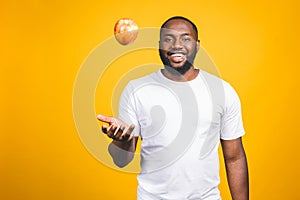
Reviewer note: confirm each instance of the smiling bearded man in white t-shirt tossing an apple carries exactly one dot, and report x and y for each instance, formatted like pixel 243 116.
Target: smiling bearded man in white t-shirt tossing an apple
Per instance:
pixel 181 113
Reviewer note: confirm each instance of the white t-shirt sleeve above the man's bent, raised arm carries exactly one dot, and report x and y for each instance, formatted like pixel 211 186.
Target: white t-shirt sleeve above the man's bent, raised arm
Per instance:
pixel 127 109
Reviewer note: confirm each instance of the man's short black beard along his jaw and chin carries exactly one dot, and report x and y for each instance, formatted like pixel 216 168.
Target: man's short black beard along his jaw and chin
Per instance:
pixel 178 71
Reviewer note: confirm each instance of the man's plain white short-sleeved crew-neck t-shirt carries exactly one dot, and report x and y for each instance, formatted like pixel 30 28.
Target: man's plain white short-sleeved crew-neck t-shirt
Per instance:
pixel 180 124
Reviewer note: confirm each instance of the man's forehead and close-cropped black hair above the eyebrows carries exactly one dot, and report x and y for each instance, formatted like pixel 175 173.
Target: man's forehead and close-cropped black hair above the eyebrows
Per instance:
pixel 178 26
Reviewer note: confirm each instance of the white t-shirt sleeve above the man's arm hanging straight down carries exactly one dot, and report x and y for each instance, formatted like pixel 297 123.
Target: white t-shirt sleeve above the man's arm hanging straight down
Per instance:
pixel 232 123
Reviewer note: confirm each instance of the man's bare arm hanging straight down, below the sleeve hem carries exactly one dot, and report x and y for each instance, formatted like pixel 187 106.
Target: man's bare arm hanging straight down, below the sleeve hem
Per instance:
pixel 236 168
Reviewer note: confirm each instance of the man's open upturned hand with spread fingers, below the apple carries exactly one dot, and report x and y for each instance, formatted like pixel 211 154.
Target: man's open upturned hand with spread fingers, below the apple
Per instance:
pixel 117 129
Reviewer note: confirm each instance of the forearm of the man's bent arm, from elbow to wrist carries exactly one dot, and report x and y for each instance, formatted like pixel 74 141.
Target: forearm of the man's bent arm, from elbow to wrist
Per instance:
pixel 122 152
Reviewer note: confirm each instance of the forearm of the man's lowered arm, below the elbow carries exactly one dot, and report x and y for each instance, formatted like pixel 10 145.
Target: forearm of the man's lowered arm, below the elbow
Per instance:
pixel 237 175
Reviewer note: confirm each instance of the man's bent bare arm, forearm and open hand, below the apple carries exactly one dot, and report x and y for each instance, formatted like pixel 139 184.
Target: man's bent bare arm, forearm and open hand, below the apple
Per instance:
pixel 123 146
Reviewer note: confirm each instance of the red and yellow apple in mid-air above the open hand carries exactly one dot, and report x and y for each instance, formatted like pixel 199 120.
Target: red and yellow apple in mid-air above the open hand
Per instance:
pixel 126 31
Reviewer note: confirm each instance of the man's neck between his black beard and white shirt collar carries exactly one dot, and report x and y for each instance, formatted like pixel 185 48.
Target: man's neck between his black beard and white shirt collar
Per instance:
pixel 188 76
